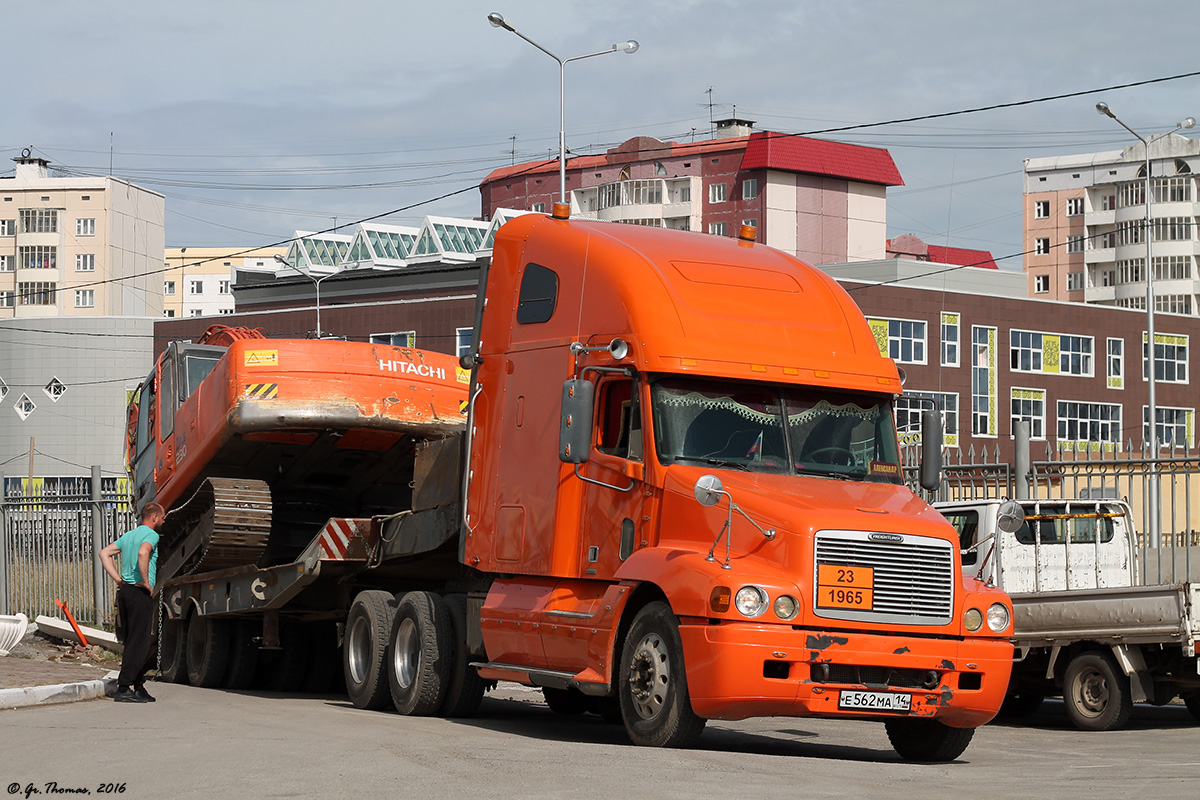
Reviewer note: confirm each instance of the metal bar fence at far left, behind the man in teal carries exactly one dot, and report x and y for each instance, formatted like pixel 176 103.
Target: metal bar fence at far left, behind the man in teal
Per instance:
pixel 49 545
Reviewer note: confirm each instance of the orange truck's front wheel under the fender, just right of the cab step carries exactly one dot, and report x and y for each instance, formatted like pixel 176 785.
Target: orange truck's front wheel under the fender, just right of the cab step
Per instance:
pixel 653 683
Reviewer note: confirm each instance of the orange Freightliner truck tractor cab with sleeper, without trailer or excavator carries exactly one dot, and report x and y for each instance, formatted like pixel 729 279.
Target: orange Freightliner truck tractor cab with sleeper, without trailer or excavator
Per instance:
pixel 683 474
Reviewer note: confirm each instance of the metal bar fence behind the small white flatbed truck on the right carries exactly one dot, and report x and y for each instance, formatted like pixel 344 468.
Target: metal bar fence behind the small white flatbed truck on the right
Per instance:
pixel 1097 472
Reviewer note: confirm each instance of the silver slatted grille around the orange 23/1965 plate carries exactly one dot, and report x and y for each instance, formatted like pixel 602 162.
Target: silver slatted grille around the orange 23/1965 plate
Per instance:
pixel 914 576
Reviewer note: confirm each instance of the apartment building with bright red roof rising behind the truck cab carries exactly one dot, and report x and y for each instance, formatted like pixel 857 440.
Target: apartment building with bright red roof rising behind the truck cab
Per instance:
pixel 825 202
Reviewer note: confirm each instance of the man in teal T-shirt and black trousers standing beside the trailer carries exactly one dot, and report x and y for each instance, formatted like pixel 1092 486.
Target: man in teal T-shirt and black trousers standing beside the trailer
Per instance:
pixel 135 599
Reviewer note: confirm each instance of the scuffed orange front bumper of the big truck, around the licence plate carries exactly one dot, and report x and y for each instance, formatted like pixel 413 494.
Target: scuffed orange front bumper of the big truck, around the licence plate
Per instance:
pixel 739 671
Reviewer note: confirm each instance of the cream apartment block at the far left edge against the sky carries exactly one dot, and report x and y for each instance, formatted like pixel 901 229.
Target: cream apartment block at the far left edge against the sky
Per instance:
pixel 79 246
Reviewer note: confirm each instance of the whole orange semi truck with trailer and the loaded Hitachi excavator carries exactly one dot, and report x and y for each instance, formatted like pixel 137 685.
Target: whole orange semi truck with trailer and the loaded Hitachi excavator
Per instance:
pixel 676 497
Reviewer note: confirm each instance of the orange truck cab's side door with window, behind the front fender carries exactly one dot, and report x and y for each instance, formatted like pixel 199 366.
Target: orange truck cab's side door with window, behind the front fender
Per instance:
pixel 613 514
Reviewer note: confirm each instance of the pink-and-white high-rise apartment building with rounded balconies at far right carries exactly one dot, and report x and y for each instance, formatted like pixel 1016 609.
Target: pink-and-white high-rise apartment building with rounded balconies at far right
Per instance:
pixel 1085 226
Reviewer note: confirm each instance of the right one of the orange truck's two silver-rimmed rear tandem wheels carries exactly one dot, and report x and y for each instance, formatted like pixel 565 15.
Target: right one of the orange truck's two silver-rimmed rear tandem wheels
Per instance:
pixel 421 654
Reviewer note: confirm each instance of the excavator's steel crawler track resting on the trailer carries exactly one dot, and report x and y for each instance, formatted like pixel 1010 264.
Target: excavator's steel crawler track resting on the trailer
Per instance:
pixel 226 524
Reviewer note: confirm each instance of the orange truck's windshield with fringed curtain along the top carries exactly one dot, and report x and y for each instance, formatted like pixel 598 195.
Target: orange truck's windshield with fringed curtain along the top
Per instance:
pixel 776 429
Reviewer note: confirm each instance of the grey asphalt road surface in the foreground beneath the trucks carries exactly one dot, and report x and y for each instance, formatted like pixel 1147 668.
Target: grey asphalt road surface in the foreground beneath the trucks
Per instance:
pixel 212 744
